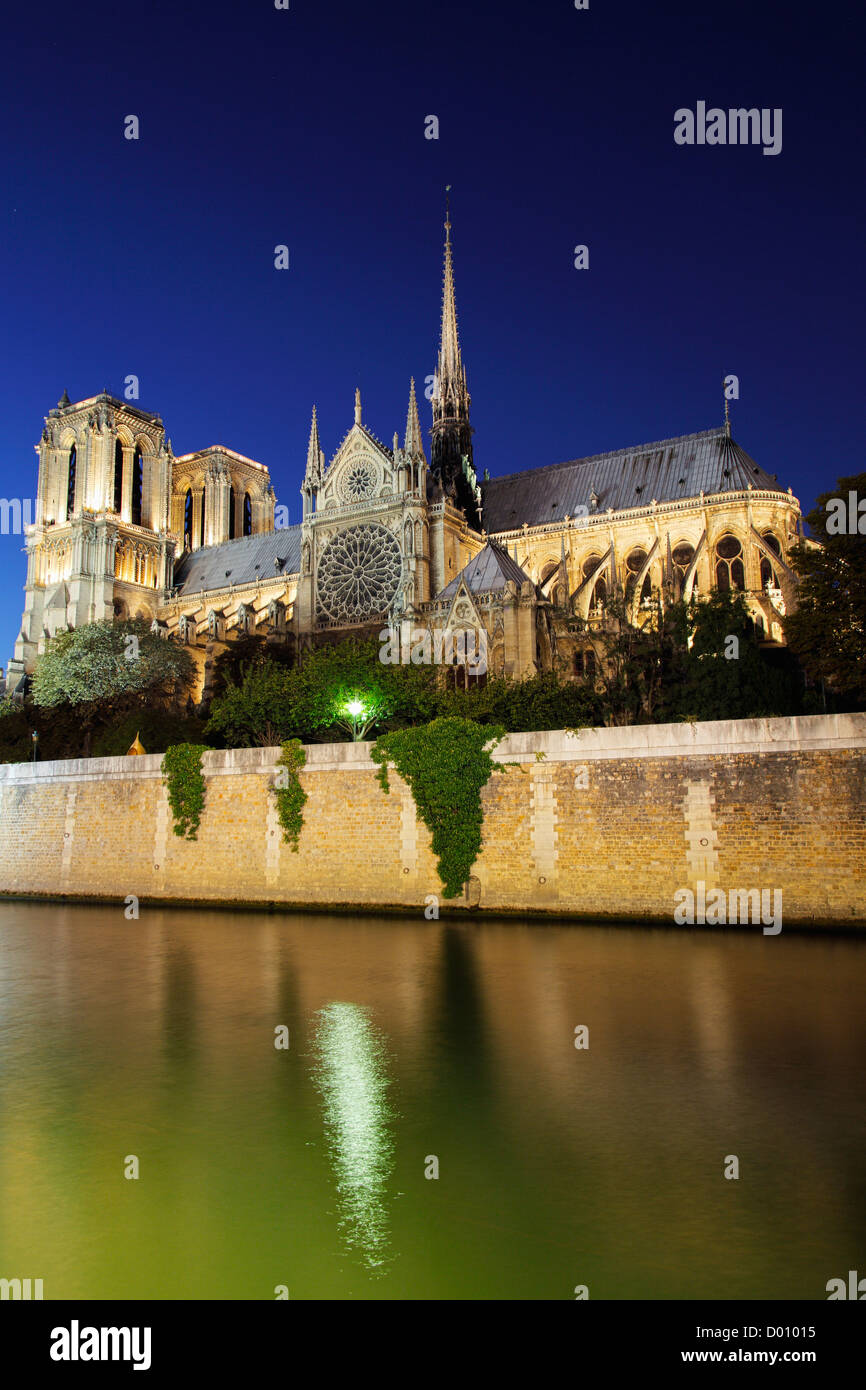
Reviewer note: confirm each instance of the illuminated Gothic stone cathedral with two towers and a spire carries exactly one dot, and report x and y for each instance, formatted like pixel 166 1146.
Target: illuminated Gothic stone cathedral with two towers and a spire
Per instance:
pixel 393 537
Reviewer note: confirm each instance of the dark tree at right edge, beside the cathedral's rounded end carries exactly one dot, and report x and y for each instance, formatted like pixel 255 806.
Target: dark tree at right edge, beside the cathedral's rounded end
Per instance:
pixel 829 629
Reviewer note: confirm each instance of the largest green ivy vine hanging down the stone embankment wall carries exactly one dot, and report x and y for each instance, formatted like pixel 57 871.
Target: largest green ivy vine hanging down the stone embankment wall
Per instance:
pixel 446 765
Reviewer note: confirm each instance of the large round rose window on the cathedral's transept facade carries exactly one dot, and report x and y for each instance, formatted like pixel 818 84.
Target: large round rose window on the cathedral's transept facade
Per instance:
pixel 359 575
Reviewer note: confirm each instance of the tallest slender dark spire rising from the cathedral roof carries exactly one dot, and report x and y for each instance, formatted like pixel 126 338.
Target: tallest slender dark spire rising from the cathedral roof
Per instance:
pixel 452 434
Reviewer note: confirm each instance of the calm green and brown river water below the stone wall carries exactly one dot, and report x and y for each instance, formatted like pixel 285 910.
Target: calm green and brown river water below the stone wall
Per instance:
pixel 151 1046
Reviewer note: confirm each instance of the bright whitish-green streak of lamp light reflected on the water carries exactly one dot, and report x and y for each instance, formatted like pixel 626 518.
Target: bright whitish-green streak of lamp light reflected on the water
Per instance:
pixel 351 1075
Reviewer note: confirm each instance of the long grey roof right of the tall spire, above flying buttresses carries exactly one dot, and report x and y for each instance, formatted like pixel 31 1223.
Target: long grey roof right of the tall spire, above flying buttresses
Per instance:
pixel 672 469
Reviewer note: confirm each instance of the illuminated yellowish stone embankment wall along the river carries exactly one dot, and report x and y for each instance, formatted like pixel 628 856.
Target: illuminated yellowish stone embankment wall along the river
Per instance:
pixel 608 824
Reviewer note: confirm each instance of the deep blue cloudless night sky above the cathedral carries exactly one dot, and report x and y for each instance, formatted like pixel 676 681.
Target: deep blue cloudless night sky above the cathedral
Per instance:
pixel 308 127
